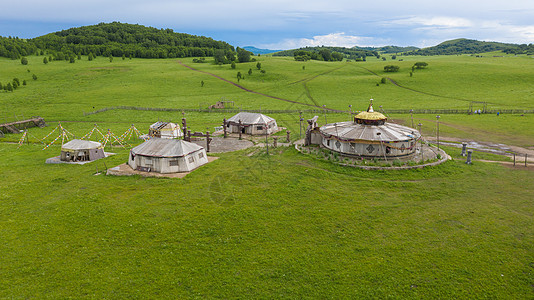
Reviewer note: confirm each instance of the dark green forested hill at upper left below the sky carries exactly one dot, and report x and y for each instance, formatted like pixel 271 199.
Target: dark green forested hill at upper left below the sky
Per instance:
pixel 114 39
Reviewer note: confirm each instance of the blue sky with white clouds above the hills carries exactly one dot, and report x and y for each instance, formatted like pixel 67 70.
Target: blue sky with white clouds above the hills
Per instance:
pixel 287 24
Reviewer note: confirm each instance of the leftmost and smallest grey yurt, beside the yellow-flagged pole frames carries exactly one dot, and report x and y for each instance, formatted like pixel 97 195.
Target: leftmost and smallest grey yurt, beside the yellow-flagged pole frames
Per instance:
pixel 80 150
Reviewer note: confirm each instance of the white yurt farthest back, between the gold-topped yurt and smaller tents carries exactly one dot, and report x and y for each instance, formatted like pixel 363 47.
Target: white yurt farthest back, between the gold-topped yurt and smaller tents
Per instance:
pixel 252 123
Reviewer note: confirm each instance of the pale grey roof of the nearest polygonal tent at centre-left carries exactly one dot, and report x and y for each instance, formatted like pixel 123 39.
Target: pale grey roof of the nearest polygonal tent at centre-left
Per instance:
pixel 165 148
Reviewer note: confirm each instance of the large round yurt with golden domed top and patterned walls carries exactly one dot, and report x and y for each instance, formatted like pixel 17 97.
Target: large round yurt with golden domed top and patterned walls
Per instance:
pixel 370 135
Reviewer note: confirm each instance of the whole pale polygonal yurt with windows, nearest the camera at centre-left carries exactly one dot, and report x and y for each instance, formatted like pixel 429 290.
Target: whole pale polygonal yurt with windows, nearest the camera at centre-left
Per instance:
pixel 167 156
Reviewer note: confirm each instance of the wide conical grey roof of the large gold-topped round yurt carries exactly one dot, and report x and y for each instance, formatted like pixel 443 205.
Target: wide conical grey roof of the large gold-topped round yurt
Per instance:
pixel 353 132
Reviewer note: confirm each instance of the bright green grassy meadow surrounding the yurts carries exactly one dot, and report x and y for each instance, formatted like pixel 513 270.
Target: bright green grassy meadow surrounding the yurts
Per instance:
pixel 252 225
